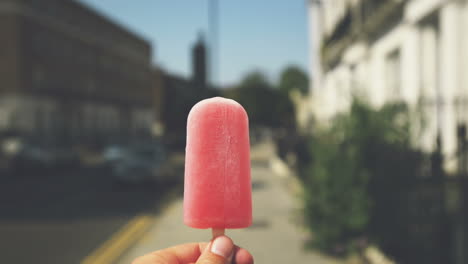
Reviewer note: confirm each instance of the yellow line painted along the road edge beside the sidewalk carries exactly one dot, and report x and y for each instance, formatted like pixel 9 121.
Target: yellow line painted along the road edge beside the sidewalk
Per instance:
pixel 120 241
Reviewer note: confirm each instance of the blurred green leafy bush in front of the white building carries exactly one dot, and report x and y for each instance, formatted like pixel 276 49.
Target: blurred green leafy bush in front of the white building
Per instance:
pixel 361 170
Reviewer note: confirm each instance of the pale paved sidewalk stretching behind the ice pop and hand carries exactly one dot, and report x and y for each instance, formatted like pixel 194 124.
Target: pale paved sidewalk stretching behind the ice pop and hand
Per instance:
pixel 274 236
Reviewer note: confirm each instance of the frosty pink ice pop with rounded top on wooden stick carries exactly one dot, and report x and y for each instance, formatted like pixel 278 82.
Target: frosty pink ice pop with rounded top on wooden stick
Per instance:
pixel 217 191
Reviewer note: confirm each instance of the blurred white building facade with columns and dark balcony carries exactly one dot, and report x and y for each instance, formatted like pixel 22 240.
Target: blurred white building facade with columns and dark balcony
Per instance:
pixel 384 50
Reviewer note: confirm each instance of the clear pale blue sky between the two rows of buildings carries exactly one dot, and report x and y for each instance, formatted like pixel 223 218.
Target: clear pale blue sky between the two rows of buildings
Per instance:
pixel 264 35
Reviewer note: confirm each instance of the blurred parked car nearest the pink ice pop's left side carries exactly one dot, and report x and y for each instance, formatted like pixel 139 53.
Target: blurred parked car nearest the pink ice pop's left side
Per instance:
pixel 140 164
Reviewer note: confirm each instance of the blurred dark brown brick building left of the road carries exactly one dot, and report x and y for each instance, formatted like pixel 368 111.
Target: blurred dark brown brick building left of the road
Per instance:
pixel 70 74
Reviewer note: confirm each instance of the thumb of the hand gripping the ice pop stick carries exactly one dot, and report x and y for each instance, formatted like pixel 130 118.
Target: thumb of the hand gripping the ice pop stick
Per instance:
pixel 219 251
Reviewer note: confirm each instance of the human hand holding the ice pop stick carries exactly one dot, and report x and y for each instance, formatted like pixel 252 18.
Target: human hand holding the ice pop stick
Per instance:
pixel 221 250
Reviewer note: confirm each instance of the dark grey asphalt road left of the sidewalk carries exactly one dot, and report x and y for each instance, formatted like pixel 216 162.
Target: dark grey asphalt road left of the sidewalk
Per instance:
pixel 62 217
